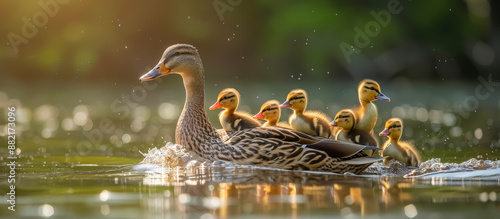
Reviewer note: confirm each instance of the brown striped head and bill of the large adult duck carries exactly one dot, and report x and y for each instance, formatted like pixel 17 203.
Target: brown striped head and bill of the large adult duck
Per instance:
pixel 180 59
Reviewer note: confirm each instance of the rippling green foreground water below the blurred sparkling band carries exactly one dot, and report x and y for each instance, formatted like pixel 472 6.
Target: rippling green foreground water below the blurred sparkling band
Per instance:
pixel 84 187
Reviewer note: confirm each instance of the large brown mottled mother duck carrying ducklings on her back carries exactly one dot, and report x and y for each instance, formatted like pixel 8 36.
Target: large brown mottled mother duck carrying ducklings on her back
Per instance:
pixel 263 146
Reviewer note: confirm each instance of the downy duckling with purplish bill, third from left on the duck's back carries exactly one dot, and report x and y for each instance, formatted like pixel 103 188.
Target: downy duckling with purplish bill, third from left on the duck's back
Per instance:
pixel 309 122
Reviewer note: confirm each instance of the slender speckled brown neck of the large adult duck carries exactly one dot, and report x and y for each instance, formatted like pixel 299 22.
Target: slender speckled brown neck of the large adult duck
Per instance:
pixel 194 128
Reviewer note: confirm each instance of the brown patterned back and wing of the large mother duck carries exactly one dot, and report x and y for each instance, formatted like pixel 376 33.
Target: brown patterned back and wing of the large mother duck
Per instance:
pixel 288 149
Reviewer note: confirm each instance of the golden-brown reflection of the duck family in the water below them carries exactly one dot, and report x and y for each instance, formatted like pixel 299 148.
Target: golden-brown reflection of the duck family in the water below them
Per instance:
pixel 272 192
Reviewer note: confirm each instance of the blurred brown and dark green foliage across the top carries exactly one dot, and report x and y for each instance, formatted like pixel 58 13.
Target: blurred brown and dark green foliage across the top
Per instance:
pixel 114 41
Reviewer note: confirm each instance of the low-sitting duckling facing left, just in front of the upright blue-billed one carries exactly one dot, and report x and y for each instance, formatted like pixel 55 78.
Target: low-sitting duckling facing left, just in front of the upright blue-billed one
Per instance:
pixel 346 121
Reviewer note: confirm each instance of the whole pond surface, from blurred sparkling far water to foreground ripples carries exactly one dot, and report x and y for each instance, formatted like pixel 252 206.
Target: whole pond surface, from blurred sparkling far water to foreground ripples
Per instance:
pixel 78 157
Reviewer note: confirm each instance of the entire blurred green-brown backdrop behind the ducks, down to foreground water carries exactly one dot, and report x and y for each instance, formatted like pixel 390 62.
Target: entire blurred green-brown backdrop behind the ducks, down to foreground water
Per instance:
pixel 72 68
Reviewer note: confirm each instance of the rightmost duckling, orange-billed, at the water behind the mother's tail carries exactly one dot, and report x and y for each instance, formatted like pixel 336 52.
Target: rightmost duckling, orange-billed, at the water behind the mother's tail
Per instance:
pixel 401 151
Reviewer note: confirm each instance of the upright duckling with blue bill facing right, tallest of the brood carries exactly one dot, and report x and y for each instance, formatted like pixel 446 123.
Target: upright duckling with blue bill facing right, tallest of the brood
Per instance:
pixel 368 91
